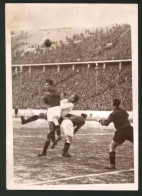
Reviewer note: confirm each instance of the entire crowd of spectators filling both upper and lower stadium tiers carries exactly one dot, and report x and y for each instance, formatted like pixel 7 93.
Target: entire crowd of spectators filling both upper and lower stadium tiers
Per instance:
pixel 96 86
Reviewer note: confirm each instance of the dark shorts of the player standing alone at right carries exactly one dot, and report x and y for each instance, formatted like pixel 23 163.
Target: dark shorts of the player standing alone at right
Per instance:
pixel 123 134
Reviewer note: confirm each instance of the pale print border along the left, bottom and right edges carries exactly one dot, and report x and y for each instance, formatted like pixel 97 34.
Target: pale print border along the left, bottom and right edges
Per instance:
pixel 9 124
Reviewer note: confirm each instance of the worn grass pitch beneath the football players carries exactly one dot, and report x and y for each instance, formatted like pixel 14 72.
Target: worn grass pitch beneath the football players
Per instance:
pixel 89 152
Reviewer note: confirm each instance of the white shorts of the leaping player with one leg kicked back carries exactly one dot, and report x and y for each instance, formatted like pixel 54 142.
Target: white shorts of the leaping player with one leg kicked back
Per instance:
pixel 52 112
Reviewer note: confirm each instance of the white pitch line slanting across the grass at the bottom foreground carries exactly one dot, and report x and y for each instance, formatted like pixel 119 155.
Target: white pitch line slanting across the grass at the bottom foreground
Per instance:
pixel 75 177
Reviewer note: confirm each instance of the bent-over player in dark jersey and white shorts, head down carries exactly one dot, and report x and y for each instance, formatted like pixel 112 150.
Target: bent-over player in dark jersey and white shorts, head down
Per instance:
pixel 70 126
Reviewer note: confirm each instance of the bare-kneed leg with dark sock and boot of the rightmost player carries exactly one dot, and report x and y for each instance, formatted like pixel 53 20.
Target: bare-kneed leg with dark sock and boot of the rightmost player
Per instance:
pixel 112 154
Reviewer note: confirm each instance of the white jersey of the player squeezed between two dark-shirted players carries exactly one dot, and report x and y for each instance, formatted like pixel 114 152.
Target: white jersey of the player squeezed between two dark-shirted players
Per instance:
pixel 65 107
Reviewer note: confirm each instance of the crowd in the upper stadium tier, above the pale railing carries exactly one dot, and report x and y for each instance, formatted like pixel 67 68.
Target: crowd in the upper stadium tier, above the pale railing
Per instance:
pixel 112 43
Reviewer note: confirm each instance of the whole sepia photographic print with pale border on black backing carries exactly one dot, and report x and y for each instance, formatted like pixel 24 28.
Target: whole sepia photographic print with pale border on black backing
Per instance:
pixel 71 96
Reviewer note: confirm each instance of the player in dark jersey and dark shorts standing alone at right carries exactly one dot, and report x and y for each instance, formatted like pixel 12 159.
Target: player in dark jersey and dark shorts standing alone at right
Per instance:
pixel 124 132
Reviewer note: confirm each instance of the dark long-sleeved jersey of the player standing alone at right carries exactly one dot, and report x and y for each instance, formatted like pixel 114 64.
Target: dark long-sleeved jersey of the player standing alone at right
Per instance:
pixel 119 117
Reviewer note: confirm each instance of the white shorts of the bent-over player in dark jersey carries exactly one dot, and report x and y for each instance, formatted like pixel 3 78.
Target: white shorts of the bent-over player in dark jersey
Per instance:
pixel 67 127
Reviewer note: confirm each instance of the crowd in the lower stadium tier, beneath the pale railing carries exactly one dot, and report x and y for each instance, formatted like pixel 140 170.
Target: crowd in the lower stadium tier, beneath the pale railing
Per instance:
pixel 96 86
